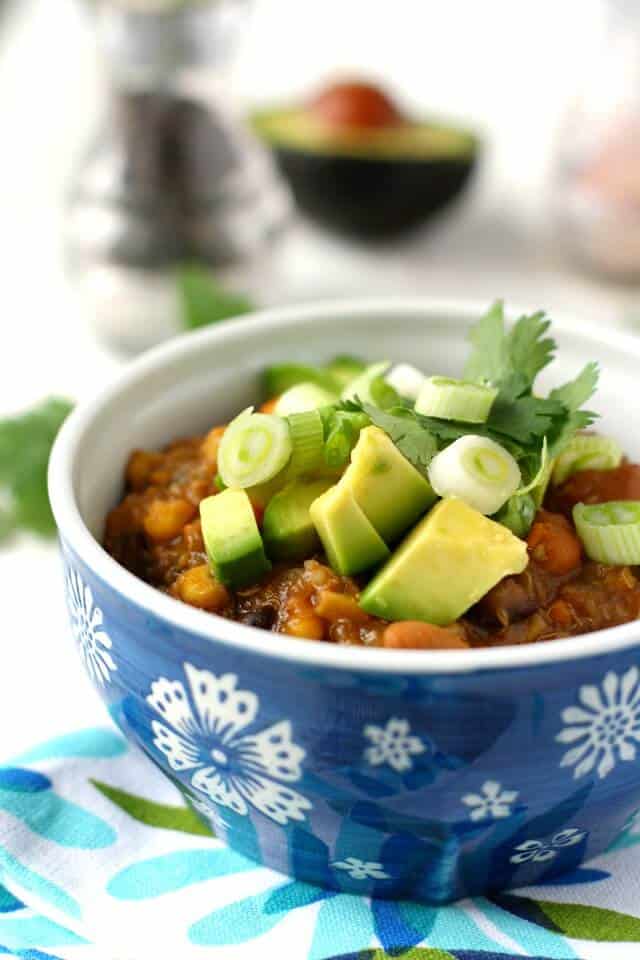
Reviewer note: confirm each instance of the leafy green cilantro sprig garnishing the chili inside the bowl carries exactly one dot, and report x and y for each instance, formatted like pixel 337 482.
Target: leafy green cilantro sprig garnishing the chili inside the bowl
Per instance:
pixel 508 360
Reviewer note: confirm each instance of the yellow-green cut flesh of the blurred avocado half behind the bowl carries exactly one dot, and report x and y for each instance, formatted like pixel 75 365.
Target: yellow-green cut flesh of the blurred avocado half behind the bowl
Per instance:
pixel 299 130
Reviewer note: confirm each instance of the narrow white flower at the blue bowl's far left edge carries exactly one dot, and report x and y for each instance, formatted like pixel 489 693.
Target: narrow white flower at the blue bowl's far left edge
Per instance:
pixel 94 643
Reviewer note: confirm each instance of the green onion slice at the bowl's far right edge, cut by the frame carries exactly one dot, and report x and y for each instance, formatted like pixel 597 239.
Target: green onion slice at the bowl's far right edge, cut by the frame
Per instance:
pixel 610 532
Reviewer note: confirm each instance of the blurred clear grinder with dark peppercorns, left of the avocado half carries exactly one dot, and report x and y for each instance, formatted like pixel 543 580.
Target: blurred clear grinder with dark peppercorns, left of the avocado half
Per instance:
pixel 172 174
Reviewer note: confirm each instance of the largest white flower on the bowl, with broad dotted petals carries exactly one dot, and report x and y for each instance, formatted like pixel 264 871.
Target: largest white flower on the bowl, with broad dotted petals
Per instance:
pixel 203 732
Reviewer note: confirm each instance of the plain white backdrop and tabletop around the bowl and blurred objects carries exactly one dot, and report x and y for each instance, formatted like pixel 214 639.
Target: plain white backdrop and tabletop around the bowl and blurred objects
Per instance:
pixel 509 67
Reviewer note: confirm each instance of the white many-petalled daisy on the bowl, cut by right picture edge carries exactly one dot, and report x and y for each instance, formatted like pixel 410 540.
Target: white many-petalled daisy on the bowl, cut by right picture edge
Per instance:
pixel 605 726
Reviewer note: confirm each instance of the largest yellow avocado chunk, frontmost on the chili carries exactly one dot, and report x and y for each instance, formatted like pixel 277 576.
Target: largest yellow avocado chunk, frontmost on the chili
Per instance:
pixel 451 559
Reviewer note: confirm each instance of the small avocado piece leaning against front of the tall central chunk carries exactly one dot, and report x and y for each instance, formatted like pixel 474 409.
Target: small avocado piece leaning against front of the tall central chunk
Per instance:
pixel 349 539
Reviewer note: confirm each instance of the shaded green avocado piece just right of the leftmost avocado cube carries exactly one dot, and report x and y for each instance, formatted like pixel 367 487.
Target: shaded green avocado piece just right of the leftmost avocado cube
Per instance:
pixel 288 530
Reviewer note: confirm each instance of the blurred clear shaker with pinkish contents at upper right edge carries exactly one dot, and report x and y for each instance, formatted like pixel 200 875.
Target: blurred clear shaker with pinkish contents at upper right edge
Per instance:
pixel 598 177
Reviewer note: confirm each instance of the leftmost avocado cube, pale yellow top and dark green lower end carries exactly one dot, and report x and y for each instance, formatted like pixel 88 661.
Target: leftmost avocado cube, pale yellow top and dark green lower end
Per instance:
pixel 232 539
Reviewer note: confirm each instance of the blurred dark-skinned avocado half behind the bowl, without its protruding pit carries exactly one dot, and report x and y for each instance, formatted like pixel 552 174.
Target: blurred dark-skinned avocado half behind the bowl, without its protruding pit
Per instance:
pixel 368 183
